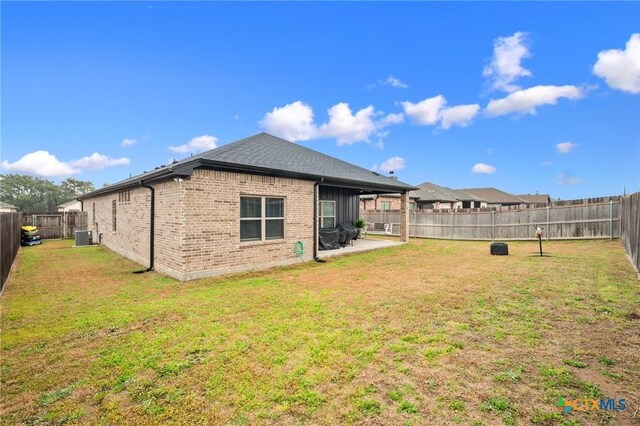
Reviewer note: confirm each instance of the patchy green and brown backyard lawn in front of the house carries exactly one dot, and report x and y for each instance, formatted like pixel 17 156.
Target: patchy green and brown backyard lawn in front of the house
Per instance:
pixel 433 332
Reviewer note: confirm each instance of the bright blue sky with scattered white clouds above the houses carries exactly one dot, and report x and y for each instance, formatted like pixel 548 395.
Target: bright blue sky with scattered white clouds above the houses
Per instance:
pixel 525 97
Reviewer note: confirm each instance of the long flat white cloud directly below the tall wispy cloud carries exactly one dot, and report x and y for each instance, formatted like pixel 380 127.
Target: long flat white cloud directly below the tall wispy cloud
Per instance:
pixel 527 100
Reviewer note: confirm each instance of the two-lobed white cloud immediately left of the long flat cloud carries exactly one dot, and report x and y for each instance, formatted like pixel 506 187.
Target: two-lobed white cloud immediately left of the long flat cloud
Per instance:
pixel 434 110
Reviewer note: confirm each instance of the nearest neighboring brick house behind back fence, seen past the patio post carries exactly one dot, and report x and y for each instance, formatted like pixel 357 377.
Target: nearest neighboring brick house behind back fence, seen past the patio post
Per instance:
pixel 427 196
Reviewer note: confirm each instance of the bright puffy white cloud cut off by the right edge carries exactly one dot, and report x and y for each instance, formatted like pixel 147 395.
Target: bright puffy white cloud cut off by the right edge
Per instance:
pixel 621 68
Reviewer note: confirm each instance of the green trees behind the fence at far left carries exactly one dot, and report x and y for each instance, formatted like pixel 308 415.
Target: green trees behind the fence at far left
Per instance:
pixel 36 195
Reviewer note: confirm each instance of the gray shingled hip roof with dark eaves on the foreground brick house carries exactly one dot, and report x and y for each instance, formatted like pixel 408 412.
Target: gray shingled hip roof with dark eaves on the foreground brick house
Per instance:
pixel 266 154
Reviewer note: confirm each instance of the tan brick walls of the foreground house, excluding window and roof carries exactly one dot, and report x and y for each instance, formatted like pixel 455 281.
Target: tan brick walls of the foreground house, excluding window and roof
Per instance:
pixel 197 224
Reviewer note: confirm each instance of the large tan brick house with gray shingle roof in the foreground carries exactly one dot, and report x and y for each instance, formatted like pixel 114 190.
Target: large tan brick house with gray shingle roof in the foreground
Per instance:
pixel 241 206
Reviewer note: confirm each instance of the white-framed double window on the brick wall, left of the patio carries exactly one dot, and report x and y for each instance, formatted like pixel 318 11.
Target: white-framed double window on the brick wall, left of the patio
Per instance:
pixel 261 218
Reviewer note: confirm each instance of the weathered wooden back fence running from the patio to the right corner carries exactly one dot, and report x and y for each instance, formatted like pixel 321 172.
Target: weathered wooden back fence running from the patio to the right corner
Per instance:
pixel 564 221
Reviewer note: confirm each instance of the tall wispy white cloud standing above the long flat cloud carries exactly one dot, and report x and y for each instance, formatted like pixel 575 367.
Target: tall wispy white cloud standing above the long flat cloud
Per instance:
pixel 505 66
